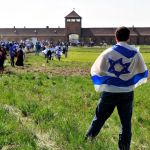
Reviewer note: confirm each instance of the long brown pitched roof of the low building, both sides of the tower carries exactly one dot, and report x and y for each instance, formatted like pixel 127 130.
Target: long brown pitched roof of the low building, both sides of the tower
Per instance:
pixel 86 32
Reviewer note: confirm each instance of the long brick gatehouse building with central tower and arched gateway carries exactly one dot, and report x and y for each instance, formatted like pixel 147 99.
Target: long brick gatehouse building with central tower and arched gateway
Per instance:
pixel 73 31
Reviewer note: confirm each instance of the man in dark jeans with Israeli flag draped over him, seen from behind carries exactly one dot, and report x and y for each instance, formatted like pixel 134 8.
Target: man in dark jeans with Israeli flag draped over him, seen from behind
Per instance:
pixel 116 73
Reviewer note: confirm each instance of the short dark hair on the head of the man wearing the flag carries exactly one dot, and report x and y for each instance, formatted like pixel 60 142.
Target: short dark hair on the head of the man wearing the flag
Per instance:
pixel 122 33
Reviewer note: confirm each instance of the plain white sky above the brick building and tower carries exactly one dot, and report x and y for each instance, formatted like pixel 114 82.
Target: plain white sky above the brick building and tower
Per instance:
pixel 94 13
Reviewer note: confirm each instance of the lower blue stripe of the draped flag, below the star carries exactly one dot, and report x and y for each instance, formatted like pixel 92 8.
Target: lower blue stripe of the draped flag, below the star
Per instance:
pixel 99 80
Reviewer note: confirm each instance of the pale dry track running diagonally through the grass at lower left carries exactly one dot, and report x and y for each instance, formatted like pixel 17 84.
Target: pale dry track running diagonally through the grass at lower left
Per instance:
pixel 43 139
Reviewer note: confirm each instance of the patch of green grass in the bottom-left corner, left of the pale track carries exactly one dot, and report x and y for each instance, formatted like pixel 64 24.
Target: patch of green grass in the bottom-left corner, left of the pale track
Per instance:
pixel 12 133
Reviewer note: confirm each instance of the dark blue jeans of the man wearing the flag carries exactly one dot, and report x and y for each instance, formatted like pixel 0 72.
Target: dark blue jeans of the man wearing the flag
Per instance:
pixel 108 102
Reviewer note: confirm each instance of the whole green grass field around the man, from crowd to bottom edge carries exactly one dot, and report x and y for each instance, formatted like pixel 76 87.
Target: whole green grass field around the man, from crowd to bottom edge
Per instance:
pixel 50 105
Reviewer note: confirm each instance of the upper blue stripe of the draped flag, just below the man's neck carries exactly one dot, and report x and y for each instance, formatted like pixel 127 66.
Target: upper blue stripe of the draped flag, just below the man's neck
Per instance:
pixel 124 51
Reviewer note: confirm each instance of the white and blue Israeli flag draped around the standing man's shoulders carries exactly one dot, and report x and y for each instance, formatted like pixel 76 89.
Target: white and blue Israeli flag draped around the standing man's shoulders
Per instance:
pixel 120 68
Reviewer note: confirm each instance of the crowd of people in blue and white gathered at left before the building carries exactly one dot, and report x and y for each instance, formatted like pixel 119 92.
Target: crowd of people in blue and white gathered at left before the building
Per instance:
pixel 17 49
